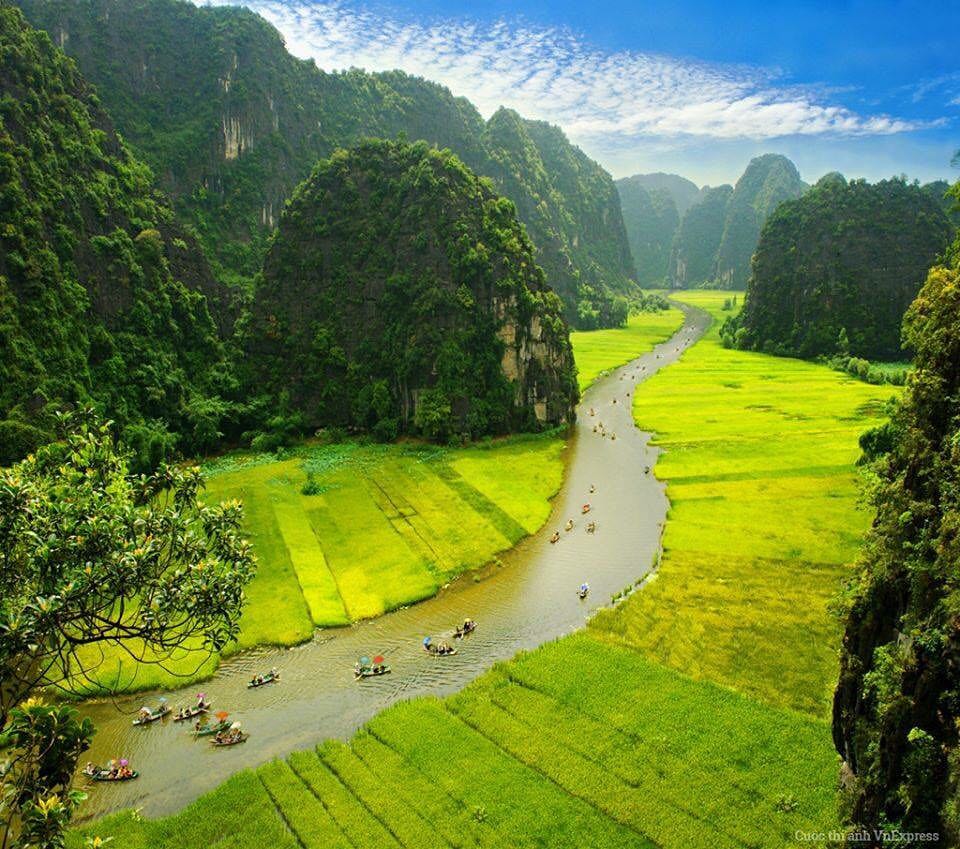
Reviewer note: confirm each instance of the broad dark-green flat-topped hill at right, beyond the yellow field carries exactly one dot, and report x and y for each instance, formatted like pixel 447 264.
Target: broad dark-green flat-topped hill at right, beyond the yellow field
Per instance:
pixel 836 269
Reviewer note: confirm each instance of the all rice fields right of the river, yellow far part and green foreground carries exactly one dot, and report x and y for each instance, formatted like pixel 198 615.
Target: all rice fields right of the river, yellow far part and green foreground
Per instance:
pixel 692 715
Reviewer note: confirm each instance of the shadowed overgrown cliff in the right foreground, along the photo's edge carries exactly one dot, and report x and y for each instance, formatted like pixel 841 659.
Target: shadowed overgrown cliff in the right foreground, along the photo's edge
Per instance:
pixel 897 704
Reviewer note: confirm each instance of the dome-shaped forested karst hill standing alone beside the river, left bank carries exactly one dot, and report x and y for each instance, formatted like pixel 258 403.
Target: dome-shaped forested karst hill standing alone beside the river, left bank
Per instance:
pixel 401 294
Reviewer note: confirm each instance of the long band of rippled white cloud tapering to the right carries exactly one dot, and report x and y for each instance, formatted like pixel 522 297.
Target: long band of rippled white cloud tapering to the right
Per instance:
pixel 602 100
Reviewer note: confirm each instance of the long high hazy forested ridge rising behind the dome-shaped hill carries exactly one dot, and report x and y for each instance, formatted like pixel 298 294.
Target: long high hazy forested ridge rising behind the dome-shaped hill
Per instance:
pixel 231 123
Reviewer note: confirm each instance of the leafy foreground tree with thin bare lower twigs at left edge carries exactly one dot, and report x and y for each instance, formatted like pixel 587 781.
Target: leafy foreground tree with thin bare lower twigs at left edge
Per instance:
pixel 94 557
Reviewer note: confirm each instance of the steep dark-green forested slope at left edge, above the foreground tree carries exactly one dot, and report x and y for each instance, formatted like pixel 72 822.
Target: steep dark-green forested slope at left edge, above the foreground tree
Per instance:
pixel 103 298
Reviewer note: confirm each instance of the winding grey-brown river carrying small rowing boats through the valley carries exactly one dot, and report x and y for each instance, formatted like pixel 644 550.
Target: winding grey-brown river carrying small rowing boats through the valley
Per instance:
pixel 527 601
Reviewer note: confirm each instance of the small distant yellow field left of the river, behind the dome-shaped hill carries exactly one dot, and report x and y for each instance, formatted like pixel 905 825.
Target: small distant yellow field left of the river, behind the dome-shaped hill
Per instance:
pixel 598 351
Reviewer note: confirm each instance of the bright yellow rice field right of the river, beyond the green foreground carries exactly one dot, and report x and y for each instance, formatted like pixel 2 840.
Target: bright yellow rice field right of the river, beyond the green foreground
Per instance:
pixel 759 459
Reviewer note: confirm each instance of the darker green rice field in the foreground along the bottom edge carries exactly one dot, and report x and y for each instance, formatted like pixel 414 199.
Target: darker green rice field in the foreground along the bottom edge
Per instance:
pixel 579 743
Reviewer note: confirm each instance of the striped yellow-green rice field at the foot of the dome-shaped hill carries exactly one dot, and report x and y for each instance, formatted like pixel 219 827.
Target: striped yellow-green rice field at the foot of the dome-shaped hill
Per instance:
pixel 388 525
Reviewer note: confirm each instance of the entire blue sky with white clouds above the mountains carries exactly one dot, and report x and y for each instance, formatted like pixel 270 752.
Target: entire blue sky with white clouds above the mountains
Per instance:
pixel 697 88
